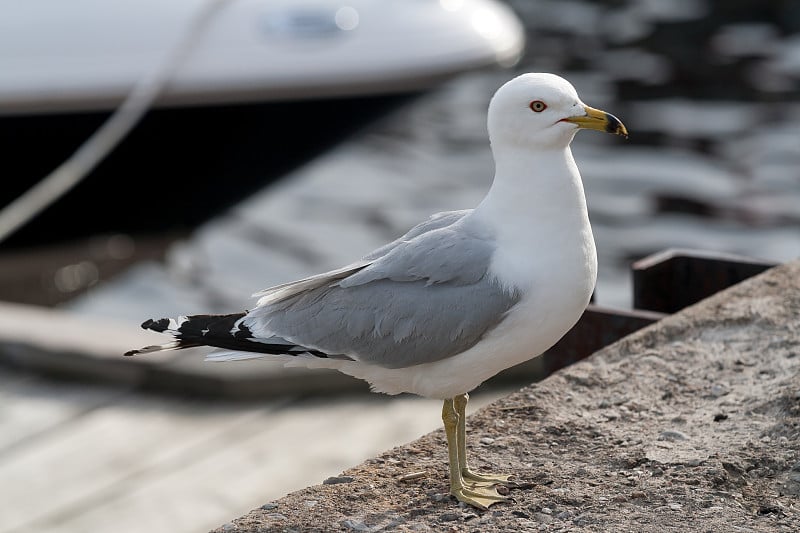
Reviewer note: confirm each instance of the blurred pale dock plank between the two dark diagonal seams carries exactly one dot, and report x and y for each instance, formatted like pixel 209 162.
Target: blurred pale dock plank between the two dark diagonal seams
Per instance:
pixel 103 449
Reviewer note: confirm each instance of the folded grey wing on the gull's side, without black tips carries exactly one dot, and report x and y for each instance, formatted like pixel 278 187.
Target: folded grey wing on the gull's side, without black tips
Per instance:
pixel 422 298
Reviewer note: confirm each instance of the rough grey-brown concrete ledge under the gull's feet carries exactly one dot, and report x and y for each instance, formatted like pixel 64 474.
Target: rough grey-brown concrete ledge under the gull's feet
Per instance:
pixel 692 424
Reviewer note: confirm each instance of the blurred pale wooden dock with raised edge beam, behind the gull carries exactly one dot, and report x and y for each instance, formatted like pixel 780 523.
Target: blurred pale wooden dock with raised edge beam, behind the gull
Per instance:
pixel 77 456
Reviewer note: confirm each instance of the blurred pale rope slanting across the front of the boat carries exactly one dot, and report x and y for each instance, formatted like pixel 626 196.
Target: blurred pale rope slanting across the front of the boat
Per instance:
pixel 109 134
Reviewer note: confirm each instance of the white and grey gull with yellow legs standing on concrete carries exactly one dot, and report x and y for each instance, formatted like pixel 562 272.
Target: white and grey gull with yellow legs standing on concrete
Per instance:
pixel 459 297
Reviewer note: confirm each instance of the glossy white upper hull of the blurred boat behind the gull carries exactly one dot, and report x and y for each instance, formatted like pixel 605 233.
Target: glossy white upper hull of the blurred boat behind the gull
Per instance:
pixel 88 54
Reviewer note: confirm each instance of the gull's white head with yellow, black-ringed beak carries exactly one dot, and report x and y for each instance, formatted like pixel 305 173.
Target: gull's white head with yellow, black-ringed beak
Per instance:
pixel 540 110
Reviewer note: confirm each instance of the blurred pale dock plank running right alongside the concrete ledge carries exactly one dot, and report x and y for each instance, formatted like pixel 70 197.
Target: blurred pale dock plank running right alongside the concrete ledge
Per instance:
pixel 297 445
